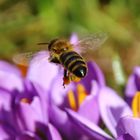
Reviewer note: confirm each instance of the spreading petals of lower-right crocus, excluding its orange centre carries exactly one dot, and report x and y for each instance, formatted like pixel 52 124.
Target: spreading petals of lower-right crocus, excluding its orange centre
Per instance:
pixel 115 114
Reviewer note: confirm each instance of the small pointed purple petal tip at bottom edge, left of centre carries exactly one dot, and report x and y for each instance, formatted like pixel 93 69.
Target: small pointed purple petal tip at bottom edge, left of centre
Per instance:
pixel 53 133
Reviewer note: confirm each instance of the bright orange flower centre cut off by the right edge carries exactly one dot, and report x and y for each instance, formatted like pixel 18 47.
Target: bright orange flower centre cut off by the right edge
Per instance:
pixel 136 105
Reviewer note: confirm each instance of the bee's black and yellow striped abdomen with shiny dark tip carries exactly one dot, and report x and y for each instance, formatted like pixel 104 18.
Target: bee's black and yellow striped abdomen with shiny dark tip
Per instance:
pixel 74 63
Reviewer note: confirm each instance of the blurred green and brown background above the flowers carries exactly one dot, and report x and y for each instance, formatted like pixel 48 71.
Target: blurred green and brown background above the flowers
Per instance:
pixel 24 23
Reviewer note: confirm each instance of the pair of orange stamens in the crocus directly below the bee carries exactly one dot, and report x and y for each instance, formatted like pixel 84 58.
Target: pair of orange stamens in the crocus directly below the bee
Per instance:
pixel 75 99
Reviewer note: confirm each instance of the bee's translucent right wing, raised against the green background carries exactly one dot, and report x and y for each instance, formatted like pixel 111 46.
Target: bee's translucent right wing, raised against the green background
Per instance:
pixel 90 43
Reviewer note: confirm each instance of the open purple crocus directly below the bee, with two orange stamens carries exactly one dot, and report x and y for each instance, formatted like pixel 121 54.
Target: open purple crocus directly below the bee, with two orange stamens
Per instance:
pixel 81 96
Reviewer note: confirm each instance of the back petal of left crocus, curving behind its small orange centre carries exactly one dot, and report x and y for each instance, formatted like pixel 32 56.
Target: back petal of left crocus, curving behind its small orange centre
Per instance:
pixel 31 90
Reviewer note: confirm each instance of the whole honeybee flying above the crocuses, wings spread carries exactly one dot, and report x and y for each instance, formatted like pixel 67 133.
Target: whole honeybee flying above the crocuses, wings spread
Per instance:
pixel 62 52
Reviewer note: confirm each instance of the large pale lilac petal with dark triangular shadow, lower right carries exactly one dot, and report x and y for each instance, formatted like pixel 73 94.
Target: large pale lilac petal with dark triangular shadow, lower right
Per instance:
pixel 112 108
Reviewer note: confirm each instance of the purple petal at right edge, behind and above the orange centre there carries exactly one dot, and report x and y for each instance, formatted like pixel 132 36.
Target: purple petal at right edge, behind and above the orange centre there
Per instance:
pixel 133 84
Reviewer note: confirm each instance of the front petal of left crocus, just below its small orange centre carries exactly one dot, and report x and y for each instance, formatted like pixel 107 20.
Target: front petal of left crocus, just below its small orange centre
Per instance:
pixel 29 114
